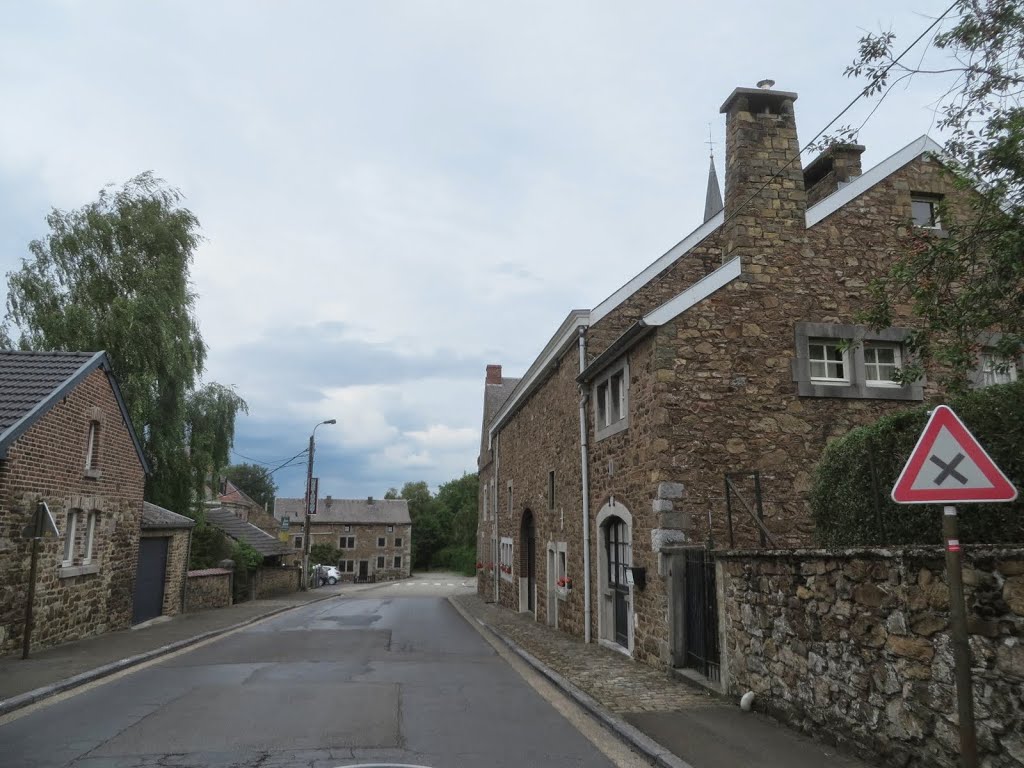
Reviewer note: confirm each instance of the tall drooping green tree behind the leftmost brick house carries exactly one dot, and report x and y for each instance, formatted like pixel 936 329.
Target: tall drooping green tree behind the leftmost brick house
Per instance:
pixel 115 276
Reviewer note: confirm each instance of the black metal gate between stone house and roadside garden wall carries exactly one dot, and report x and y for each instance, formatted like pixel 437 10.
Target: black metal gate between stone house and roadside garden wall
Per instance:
pixel 701 650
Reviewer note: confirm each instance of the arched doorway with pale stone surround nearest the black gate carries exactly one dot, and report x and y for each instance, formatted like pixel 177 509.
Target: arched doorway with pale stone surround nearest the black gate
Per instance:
pixel 616 596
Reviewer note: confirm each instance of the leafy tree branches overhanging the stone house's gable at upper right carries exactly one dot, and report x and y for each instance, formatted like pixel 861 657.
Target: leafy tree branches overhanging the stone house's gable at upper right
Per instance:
pixel 966 290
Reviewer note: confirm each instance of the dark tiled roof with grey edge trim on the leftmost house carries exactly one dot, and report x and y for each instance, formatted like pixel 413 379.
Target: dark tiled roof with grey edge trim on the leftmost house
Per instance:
pixel 31 383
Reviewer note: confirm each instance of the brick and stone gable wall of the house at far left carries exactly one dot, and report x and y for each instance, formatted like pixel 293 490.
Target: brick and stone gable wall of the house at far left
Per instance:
pixel 89 596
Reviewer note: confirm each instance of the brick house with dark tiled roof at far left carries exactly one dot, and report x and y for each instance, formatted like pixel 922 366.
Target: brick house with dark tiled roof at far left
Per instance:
pixel 67 440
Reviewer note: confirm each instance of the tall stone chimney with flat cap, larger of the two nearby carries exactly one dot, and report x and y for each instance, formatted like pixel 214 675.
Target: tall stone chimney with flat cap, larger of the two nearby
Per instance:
pixel 761 151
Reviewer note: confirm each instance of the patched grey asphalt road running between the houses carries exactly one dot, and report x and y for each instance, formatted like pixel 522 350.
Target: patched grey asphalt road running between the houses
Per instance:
pixel 373 676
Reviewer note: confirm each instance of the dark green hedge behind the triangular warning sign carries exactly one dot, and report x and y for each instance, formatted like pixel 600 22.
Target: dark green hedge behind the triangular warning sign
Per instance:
pixel 850 496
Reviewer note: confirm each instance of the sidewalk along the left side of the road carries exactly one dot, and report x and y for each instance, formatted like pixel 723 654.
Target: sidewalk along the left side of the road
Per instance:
pixel 53 670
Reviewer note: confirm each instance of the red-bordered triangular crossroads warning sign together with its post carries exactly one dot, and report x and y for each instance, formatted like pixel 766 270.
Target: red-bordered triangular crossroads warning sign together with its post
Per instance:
pixel 950 466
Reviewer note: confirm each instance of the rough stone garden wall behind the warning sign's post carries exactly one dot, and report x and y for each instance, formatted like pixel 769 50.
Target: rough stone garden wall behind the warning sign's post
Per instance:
pixel 855 648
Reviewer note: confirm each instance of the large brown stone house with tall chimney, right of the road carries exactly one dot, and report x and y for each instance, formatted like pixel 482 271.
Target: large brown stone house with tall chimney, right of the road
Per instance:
pixel 724 356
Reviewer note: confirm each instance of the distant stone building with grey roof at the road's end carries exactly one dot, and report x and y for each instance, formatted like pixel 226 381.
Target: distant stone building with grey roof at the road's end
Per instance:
pixel 375 536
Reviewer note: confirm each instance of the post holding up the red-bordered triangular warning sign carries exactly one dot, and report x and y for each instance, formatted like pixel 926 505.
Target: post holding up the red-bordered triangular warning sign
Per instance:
pixel 962 652
